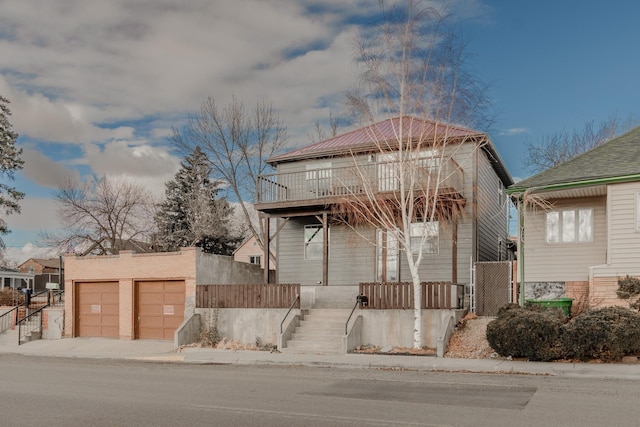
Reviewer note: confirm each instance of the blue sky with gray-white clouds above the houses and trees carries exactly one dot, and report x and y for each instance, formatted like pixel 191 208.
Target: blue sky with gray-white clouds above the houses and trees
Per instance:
pixel 95 87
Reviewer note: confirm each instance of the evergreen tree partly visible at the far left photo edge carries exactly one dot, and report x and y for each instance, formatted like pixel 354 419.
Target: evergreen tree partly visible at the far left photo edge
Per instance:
pixel 10 161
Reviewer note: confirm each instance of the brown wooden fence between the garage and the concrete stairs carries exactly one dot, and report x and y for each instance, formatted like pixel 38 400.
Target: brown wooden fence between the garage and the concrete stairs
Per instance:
pixel 247 296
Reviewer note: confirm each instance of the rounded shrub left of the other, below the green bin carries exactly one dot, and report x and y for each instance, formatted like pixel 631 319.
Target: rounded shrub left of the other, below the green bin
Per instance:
pixel 518 332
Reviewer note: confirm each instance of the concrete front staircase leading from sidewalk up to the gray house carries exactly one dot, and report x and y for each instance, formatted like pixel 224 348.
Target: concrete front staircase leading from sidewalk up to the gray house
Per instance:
pixel 320 332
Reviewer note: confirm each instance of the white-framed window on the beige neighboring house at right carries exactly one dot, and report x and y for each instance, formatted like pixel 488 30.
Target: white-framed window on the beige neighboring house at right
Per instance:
pixel 569 226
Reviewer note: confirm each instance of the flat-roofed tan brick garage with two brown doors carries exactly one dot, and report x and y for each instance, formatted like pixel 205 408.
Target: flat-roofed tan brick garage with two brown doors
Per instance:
pixel 142 296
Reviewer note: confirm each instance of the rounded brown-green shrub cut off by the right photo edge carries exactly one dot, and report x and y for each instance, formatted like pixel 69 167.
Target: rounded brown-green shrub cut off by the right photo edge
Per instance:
pixel 606 333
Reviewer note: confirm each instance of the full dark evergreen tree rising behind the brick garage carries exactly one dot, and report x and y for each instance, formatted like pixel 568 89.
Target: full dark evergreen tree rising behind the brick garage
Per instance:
pixel 191 215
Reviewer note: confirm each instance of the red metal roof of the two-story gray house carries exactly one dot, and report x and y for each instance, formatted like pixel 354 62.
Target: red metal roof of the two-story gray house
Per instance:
pixel 373 135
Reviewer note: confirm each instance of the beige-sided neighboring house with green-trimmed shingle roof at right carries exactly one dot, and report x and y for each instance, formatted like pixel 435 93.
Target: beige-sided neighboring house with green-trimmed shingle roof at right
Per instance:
pixel 579 224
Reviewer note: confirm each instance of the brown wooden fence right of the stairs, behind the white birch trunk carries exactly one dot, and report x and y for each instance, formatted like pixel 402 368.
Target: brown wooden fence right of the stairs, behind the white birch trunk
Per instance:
pixel 435 295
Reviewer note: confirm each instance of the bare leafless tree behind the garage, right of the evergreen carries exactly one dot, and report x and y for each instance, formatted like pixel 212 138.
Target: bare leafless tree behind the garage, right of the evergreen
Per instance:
pixel 237 143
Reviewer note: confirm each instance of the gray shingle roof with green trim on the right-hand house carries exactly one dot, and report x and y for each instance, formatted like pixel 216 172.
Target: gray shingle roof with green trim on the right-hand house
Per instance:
pixel 618 158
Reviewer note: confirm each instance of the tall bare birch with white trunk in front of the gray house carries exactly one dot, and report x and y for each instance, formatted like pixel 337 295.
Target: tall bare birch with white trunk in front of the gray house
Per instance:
pixel 412 72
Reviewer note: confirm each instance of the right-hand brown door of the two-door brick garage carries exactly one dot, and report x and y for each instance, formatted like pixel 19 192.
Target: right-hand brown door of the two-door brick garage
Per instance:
pixel 159 308
